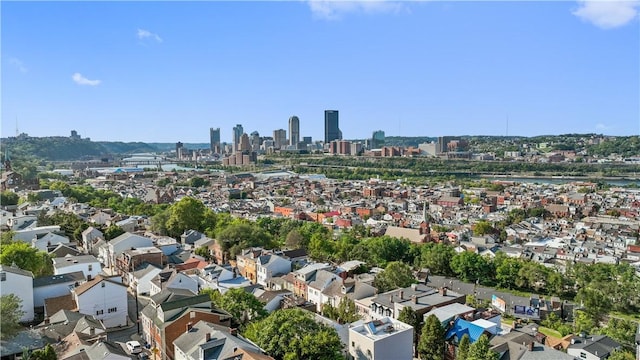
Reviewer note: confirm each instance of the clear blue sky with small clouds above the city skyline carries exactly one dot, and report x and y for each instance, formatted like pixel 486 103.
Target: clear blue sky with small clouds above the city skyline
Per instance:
pixel 168 71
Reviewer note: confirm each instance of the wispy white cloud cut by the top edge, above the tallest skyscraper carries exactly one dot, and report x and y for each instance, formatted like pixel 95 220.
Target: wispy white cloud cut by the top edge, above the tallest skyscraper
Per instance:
pixel 335 9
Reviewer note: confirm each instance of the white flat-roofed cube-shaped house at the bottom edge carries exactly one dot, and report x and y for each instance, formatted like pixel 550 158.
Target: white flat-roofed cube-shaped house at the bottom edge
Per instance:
pixel 386 338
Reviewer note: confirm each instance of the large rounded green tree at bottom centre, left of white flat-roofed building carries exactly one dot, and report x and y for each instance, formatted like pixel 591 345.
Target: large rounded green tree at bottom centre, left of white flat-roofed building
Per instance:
pixel 294 334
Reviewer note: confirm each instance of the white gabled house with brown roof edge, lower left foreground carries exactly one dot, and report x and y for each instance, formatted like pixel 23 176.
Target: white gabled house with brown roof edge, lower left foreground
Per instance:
pixel 103 298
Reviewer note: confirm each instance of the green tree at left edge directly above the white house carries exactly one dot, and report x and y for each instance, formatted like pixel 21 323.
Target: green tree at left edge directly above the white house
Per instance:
pixel 27 258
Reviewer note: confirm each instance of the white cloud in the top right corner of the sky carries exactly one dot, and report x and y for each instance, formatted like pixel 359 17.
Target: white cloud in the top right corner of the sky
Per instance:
pixel 607 14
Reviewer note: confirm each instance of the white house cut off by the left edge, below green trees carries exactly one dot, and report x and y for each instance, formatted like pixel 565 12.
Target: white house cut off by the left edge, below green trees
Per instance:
pixel 14 280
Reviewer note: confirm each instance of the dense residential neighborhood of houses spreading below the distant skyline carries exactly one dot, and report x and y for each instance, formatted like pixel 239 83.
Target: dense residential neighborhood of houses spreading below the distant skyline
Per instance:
pixel 143 285
